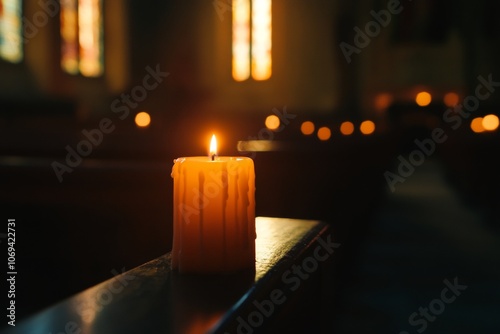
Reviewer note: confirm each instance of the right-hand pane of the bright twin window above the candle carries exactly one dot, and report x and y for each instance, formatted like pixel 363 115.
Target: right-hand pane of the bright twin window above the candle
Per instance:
pixel 261 39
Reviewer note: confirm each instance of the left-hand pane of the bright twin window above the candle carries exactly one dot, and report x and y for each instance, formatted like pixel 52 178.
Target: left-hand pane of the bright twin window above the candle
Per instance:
pixel 241 40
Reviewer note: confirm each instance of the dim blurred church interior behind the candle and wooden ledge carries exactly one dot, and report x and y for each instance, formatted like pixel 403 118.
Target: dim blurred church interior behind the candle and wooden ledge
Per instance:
pixel 379 118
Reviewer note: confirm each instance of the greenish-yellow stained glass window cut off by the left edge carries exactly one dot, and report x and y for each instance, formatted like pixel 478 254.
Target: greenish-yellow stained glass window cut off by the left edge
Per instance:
pixel 11 40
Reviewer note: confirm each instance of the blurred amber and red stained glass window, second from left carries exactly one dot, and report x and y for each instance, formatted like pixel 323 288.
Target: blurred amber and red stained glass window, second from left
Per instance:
pixel 81 35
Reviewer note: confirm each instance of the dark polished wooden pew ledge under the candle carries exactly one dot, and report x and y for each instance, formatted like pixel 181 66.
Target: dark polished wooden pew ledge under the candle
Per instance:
pixel 153 299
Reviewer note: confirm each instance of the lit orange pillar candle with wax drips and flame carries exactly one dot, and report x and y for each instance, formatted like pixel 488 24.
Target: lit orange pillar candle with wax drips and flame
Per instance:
pixel 214 213
